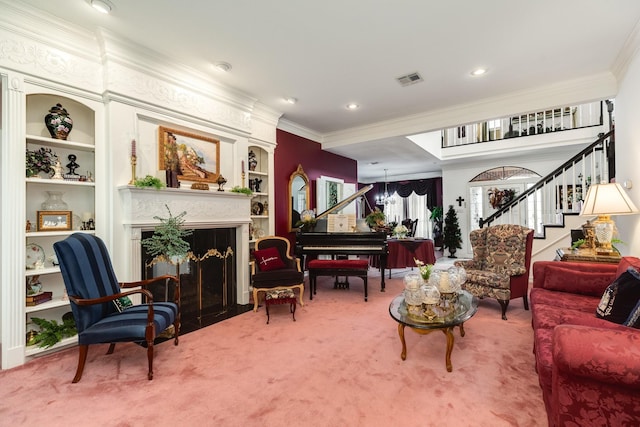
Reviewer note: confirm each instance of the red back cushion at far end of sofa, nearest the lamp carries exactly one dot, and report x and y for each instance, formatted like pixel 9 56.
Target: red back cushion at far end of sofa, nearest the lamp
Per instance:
pixel 562 279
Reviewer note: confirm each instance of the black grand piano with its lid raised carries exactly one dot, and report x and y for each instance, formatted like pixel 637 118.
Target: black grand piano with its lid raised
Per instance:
pixel 322 242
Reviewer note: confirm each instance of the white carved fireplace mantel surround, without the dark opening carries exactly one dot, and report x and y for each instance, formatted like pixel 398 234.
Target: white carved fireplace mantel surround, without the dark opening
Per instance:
pixel 204 209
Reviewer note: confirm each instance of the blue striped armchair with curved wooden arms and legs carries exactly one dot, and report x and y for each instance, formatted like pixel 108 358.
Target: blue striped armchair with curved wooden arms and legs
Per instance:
pixel 95 296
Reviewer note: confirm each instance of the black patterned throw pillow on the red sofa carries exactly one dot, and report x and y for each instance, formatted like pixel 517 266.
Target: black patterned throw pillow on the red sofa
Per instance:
pixel 620 298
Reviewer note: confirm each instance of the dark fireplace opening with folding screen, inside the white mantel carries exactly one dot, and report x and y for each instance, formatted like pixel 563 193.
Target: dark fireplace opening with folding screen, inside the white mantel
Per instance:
pixel 207 277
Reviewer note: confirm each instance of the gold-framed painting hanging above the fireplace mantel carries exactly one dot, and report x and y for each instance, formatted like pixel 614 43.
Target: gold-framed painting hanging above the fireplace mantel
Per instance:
pixel 194 157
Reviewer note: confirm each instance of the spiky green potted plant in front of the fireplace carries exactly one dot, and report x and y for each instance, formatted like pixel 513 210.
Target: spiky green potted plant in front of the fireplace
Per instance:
pixel 168 238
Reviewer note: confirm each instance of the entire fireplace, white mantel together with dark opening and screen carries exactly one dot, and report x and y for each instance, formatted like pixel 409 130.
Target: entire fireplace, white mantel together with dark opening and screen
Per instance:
pixel 212 286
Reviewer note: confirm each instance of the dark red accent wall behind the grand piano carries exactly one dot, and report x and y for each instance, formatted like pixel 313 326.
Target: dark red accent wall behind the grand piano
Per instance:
pixel 293 150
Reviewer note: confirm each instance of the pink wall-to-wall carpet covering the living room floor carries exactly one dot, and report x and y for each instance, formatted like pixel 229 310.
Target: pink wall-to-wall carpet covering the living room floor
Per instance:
pixel 337 365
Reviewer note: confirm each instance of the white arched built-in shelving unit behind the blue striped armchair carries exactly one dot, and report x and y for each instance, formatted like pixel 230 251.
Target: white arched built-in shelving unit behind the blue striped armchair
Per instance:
pixel 78 194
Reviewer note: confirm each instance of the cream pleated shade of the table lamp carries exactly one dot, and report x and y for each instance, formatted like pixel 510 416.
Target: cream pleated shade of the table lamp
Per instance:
pixel 607 199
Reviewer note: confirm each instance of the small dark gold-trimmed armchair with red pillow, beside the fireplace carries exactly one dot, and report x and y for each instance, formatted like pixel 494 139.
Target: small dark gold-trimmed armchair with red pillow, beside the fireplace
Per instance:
pixel 273 268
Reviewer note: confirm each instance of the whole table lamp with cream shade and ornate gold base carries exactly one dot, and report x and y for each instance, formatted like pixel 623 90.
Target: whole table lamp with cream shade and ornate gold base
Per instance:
pixel 605 200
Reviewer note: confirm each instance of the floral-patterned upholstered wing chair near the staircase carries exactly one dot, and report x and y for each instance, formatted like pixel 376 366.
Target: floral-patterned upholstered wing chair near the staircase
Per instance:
pixel 500 265
